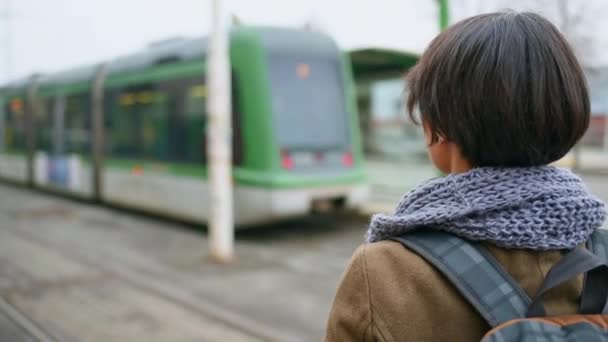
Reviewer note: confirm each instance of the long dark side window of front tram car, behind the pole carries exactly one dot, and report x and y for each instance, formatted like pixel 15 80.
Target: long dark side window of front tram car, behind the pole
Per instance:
pixel 164 122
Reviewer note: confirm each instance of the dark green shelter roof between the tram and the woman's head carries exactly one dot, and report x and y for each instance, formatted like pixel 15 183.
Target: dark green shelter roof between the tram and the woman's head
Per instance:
pixel 375 63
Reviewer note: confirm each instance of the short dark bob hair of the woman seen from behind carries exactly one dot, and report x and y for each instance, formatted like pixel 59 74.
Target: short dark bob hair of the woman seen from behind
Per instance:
pixel 505 87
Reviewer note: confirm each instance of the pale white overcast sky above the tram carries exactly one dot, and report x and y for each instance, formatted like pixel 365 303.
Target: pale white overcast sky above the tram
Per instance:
pixel 47 35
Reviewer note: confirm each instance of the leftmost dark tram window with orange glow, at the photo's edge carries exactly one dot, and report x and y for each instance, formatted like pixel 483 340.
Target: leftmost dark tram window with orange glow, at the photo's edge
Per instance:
pixel 14 128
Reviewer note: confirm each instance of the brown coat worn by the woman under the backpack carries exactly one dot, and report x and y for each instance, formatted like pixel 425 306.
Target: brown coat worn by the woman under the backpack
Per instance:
pixel 389 293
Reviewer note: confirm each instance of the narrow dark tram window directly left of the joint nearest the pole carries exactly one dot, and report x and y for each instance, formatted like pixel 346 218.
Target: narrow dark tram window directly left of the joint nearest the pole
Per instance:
pixel 77 120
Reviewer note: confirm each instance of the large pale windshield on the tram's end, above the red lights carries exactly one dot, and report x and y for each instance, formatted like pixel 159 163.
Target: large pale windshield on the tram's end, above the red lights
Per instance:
pixel 308 103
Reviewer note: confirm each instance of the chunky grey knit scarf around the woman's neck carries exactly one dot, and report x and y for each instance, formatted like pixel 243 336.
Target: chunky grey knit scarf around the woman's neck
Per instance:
pixel 539 208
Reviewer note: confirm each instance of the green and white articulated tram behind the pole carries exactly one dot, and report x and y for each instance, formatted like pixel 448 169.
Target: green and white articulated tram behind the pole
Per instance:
pixel 130 132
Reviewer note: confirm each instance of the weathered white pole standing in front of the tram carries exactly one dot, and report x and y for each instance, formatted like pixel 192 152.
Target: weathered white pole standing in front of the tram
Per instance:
pixel 219 134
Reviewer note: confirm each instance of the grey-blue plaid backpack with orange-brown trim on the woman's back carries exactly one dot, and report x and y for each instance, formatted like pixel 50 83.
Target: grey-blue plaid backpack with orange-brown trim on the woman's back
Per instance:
pixel 512 315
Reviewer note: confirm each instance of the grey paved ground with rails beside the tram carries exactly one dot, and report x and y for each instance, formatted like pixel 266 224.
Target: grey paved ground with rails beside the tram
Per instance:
pixel 71 271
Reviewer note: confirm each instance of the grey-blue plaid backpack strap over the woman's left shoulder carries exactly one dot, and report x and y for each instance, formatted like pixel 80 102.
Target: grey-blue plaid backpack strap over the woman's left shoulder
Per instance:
pixel 474 272
